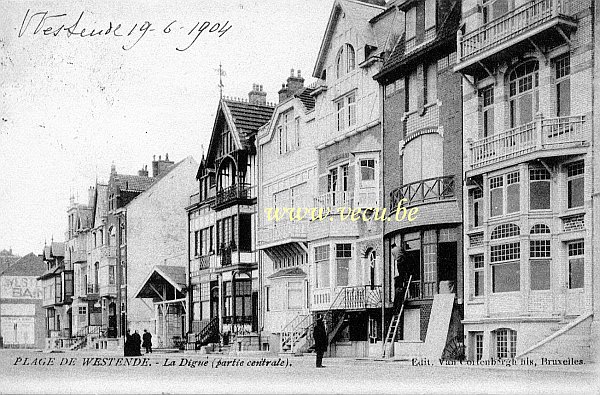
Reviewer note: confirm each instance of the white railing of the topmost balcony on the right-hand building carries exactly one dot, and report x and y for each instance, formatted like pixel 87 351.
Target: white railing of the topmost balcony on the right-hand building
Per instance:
pixel 512 24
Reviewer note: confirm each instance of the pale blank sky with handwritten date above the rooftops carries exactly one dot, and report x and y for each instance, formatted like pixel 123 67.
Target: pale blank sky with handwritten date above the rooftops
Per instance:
pixel 72 104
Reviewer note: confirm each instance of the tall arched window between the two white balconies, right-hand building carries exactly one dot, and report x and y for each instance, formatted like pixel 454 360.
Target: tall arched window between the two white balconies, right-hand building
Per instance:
pixel 523 92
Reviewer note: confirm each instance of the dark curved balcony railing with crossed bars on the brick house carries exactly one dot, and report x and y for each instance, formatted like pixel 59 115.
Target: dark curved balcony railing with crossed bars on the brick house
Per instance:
pixel 424 191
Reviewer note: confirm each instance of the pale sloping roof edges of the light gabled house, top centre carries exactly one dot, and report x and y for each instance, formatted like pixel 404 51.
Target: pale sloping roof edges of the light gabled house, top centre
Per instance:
pixel 359 13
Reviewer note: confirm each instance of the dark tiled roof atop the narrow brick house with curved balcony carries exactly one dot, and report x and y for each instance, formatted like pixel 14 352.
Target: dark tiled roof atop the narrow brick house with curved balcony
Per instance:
pixel 445 40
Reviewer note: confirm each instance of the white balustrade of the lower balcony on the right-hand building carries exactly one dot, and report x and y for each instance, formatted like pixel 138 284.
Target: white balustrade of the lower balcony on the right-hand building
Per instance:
pixel 540 134
